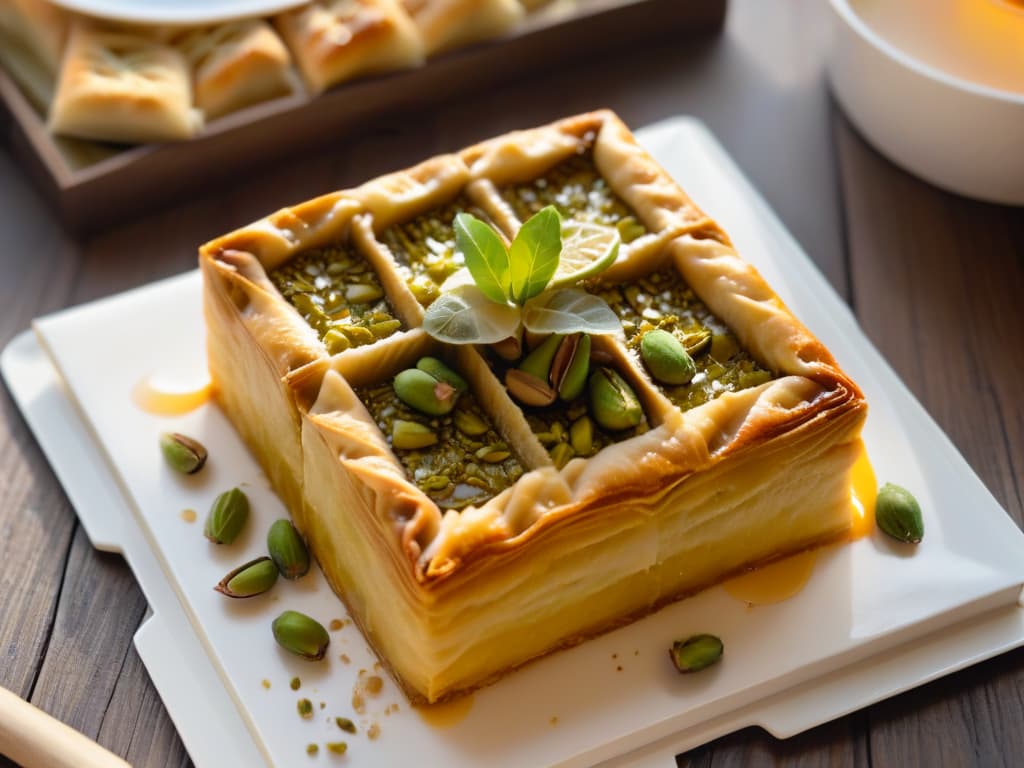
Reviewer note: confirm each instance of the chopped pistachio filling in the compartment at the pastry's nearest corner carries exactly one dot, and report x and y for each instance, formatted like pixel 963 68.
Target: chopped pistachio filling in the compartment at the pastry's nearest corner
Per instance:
pixel 457 459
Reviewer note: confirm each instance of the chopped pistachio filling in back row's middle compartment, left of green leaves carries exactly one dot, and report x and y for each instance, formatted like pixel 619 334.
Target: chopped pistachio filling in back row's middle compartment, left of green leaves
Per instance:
pixel 426 246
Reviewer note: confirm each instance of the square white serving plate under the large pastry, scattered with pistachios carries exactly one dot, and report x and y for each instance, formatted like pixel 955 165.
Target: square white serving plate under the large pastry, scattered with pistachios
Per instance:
pixel 866 627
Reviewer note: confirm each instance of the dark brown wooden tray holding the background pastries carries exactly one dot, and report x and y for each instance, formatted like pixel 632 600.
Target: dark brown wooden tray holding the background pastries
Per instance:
pixel 94 186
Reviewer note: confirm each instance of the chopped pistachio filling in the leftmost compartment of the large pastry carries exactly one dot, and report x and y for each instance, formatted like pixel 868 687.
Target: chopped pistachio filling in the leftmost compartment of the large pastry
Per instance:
pixel 338 293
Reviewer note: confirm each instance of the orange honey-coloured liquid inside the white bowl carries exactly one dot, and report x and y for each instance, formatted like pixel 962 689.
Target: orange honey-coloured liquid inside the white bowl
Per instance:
pixel 980 41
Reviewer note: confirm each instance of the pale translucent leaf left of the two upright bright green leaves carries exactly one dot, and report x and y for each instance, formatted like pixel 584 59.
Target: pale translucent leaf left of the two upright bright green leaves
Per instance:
pixel 468 317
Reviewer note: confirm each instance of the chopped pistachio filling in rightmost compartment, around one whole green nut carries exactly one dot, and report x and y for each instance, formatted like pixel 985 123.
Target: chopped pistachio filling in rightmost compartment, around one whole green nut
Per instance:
pixel 663 301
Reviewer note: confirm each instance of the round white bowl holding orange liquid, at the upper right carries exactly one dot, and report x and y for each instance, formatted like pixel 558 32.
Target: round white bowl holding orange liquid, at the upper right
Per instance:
pixel 962 137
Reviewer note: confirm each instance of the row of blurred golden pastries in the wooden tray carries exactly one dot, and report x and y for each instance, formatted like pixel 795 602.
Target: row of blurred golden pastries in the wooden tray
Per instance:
pixel 130 84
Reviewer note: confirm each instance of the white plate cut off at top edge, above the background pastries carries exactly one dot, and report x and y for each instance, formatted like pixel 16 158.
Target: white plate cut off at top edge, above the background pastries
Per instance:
pixel 186 13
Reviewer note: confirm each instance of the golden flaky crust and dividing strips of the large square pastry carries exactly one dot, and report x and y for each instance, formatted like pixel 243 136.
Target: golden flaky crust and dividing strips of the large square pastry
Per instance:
pixel 452 600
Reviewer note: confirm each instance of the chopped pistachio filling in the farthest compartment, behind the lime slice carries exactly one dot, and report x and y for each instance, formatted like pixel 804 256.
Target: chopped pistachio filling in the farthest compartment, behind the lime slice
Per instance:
pixel 577 189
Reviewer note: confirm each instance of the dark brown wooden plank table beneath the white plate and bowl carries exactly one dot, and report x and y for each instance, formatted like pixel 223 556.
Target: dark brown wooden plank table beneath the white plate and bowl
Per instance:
pixel 936 281
